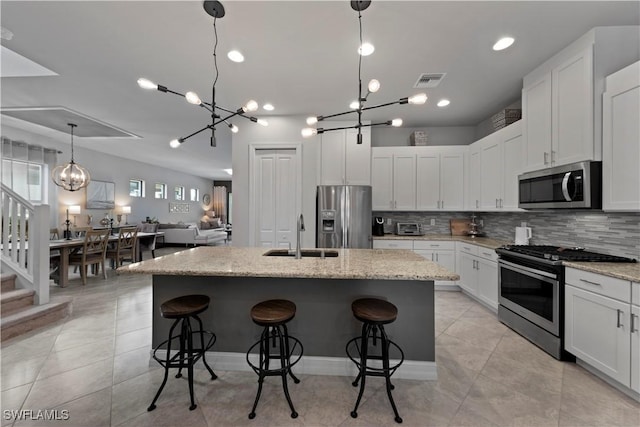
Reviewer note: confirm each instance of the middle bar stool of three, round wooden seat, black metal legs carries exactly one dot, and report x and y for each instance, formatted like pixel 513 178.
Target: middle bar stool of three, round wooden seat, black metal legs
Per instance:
pixel 273 316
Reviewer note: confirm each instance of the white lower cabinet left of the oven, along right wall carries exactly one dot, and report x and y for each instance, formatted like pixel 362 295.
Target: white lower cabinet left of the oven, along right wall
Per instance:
pixel 478 270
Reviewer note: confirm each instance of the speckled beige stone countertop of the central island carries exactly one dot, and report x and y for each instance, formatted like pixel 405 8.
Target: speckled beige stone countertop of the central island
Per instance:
pixel 381 264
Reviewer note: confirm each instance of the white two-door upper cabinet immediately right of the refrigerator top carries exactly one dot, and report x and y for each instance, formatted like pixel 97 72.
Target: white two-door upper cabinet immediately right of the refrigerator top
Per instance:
pixel 393 172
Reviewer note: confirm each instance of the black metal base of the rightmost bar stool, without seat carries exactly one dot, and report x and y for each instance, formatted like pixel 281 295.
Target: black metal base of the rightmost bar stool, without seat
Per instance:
pixel 361 344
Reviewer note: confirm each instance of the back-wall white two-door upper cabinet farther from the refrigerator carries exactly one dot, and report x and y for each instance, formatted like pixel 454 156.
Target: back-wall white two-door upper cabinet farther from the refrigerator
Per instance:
pixel 440 178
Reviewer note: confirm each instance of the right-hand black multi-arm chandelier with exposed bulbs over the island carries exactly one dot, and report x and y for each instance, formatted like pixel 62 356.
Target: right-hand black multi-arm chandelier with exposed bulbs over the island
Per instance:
pixel 359 105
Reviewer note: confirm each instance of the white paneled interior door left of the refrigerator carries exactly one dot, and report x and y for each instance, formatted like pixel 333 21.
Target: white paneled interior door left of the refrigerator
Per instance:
pixel 275 194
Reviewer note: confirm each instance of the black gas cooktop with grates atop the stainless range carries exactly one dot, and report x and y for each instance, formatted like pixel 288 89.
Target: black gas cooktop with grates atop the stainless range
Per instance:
pixel 559 253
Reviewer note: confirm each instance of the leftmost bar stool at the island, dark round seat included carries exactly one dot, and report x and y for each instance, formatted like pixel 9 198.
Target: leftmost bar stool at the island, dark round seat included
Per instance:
pixel 182 309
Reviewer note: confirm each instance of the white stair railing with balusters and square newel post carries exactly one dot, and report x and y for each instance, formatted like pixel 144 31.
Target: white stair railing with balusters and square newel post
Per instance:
pixel 25 243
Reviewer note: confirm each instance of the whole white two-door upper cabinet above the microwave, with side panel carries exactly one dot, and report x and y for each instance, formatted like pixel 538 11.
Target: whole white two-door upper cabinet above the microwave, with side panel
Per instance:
pixel 561 106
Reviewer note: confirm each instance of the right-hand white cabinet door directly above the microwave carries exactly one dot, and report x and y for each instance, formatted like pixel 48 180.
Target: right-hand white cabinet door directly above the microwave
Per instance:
pixel 572 109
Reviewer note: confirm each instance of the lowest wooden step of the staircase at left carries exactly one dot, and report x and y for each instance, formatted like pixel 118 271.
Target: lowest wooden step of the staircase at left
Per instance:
pixel 33 317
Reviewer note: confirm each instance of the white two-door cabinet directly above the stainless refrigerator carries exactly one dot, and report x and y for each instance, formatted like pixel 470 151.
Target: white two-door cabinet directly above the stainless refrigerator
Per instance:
pixel 342 160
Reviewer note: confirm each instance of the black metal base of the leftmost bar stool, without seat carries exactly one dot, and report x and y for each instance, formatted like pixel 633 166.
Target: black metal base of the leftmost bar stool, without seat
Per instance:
pixel 186 357
